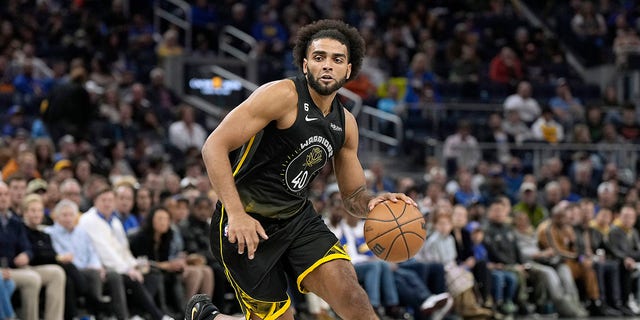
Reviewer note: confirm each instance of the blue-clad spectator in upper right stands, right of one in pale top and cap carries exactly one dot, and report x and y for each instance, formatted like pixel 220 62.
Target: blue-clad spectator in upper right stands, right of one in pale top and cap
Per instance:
pixel 567 108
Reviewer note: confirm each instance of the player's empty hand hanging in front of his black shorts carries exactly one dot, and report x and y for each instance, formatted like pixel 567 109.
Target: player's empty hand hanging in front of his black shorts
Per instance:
pixel 246 231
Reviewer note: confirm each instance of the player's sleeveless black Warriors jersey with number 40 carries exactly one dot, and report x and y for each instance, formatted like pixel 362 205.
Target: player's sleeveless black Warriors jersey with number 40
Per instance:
pixel 276 167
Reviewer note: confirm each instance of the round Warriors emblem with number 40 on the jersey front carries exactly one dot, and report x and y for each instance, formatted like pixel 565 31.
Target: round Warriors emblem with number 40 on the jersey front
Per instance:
pixel 302 167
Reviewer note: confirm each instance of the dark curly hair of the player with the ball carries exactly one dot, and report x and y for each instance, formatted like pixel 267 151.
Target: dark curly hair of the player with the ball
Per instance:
pixel 333 29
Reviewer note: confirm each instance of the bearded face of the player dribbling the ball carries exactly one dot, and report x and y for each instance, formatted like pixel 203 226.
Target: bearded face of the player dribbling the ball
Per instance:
pixel 327 66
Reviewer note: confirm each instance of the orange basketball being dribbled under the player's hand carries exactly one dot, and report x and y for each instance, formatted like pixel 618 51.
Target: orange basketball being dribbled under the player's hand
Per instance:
pixel 395 231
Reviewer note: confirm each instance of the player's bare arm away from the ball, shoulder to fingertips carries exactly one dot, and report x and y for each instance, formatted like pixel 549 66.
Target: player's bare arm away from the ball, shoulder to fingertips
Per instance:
pixel 275 101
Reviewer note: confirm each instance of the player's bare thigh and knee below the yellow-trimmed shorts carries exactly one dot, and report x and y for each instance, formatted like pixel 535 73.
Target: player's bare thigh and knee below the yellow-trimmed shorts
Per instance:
pixel 335 281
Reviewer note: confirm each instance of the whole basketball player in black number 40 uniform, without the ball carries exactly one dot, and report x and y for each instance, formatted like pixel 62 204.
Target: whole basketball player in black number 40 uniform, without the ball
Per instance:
pixel 264 228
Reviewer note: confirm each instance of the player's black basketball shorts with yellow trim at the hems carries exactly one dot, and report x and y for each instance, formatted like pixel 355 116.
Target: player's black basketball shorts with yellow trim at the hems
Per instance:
pixel 296 246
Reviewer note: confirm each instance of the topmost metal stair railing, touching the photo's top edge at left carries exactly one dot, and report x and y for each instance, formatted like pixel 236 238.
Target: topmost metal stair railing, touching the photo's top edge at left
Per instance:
pixel 181 19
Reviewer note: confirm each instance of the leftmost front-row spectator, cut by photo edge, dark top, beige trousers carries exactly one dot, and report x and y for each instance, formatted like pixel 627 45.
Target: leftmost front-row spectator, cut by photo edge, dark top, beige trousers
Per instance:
pixel 16 249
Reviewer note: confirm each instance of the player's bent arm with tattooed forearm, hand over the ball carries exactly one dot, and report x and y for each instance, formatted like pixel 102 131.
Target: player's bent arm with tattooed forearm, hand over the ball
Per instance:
pixel 350 176
